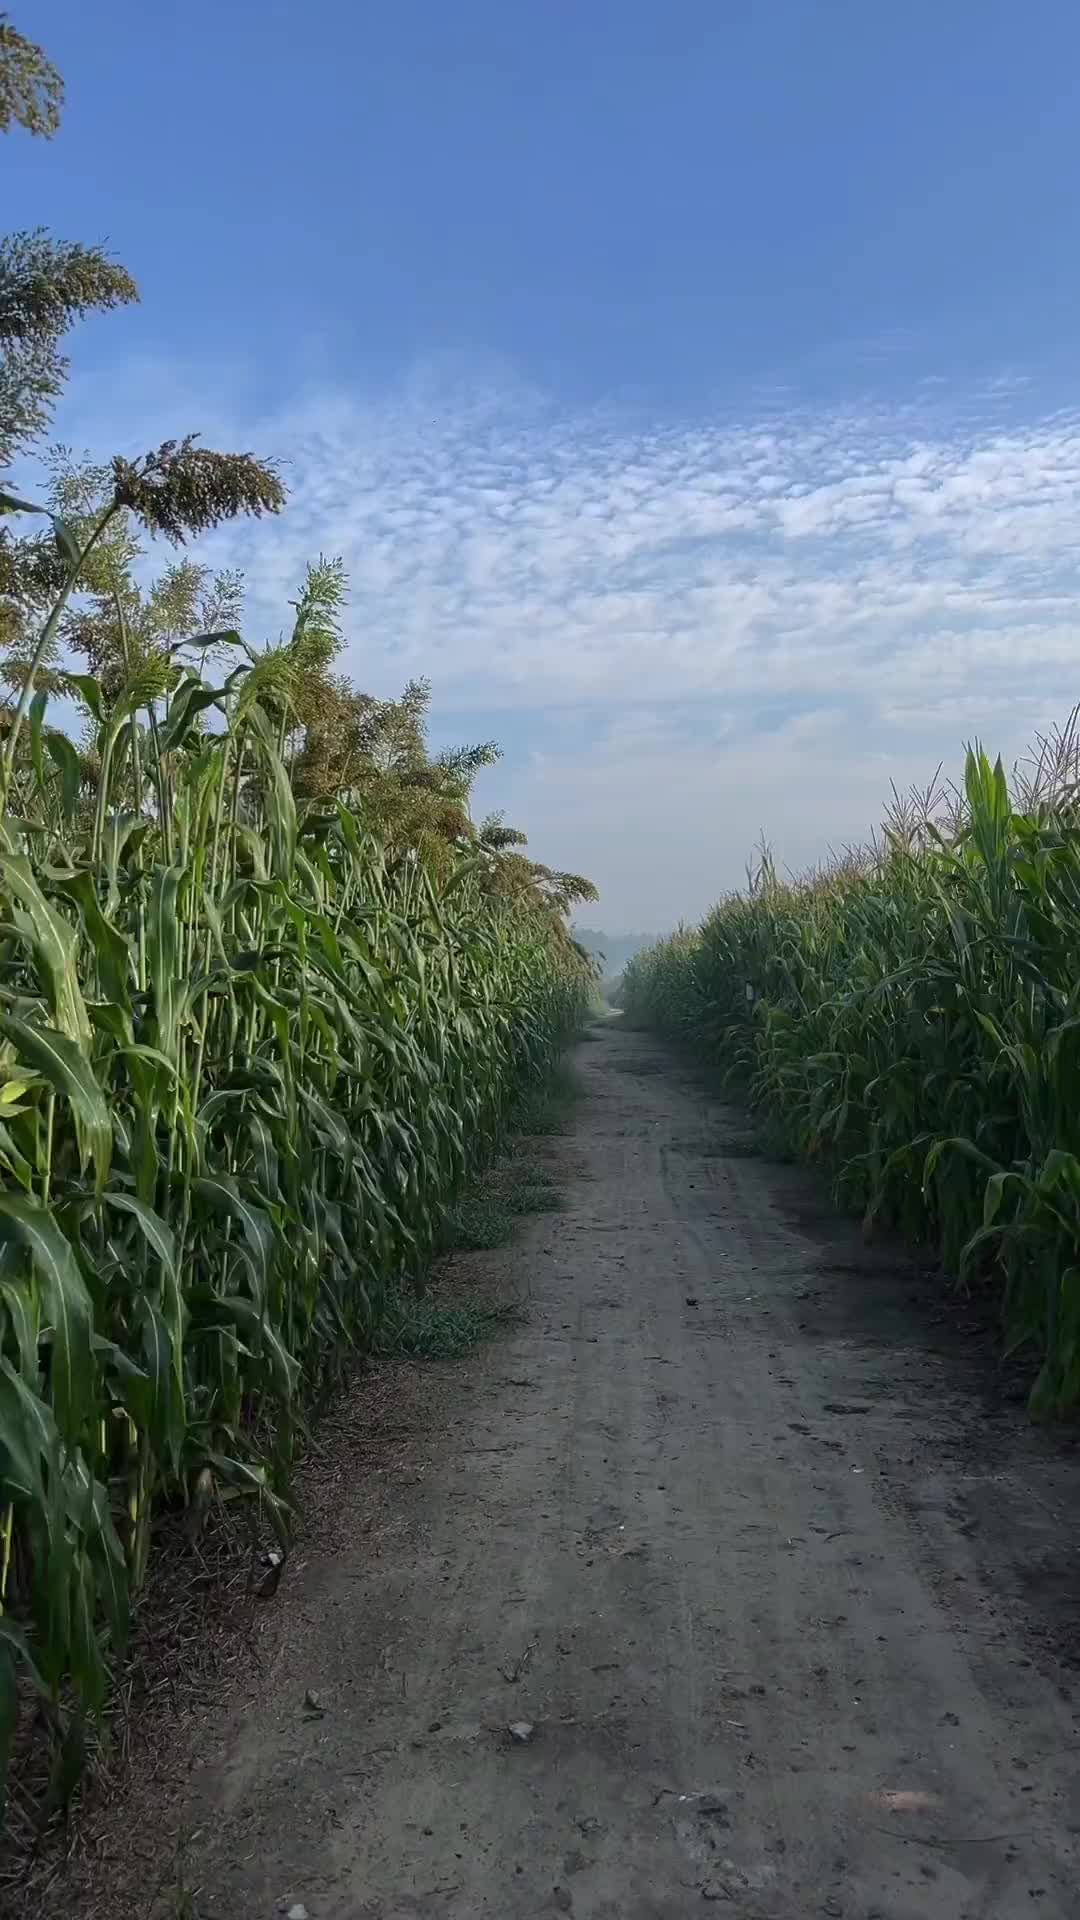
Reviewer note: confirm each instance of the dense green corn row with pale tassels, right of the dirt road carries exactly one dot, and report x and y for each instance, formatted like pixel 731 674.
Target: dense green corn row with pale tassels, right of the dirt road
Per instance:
pixel 912 1020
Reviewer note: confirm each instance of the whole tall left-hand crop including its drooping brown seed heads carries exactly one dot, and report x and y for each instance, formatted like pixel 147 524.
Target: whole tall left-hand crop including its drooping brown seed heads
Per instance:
pixel 266 997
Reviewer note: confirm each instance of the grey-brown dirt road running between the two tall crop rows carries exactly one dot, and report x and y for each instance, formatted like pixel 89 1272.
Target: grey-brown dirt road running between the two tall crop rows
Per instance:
pixel 781 1606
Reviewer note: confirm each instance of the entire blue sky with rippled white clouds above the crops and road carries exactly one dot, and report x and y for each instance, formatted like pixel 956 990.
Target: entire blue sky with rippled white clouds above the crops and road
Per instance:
pixel 691 391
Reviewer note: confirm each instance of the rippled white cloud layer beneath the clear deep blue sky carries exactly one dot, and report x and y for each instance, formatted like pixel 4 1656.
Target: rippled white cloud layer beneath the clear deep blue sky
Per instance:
pixel 766 619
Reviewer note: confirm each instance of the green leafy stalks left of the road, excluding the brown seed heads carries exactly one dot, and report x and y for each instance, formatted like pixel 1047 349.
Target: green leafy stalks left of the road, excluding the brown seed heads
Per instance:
pixel 245 1065
